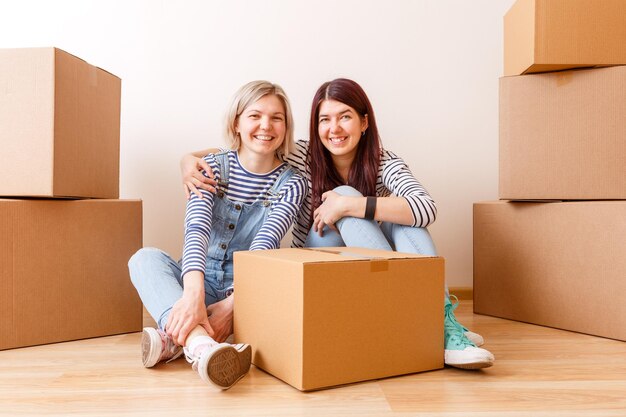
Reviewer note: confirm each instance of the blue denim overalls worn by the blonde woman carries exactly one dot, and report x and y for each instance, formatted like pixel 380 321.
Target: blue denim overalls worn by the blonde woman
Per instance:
pixel 157 277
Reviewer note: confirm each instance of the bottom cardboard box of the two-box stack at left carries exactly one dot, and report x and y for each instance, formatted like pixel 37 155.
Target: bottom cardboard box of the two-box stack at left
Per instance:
pixel 63 270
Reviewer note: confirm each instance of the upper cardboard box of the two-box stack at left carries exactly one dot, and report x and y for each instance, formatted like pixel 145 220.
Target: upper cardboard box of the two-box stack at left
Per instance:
pixel 60 120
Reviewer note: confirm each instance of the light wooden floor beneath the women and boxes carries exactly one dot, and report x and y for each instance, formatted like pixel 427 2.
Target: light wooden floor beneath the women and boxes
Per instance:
pixel 538 372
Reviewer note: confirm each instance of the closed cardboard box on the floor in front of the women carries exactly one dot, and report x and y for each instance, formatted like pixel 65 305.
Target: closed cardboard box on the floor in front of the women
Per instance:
pixel 327 316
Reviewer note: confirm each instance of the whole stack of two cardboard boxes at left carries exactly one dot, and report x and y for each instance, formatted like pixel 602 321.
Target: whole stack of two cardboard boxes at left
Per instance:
pixel 66 238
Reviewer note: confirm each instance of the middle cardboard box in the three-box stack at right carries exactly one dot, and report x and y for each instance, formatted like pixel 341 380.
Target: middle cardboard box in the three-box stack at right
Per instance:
pixel 562 135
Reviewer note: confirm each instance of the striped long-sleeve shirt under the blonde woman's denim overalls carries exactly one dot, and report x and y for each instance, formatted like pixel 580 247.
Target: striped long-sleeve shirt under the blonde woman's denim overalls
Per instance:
pixel 245 187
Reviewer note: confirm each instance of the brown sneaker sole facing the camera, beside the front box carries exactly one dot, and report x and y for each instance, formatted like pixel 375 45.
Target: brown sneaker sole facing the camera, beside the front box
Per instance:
pixel 227 365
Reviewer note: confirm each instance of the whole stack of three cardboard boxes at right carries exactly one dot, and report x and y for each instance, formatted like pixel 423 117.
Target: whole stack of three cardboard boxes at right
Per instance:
pixel 554 252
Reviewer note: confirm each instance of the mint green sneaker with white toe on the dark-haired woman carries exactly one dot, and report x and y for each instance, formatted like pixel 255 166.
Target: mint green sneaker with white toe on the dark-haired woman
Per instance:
pixel 461 352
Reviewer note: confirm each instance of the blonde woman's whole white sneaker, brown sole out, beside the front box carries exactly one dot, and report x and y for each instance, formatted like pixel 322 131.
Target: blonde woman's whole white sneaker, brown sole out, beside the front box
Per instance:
pixel 220 364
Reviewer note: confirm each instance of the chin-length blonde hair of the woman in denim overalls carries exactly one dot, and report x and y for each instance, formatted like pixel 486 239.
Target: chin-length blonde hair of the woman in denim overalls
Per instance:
pixel 249 94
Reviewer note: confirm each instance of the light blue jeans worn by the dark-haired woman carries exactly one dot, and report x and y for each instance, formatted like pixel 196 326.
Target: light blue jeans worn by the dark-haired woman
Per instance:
pixel 369 234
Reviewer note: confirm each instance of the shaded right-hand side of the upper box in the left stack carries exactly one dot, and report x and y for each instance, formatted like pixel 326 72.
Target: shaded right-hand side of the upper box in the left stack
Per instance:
pixel 86 129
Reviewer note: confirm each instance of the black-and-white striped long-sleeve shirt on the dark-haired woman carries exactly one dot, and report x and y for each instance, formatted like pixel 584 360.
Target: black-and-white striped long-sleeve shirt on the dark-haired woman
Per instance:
pixel 394 178
